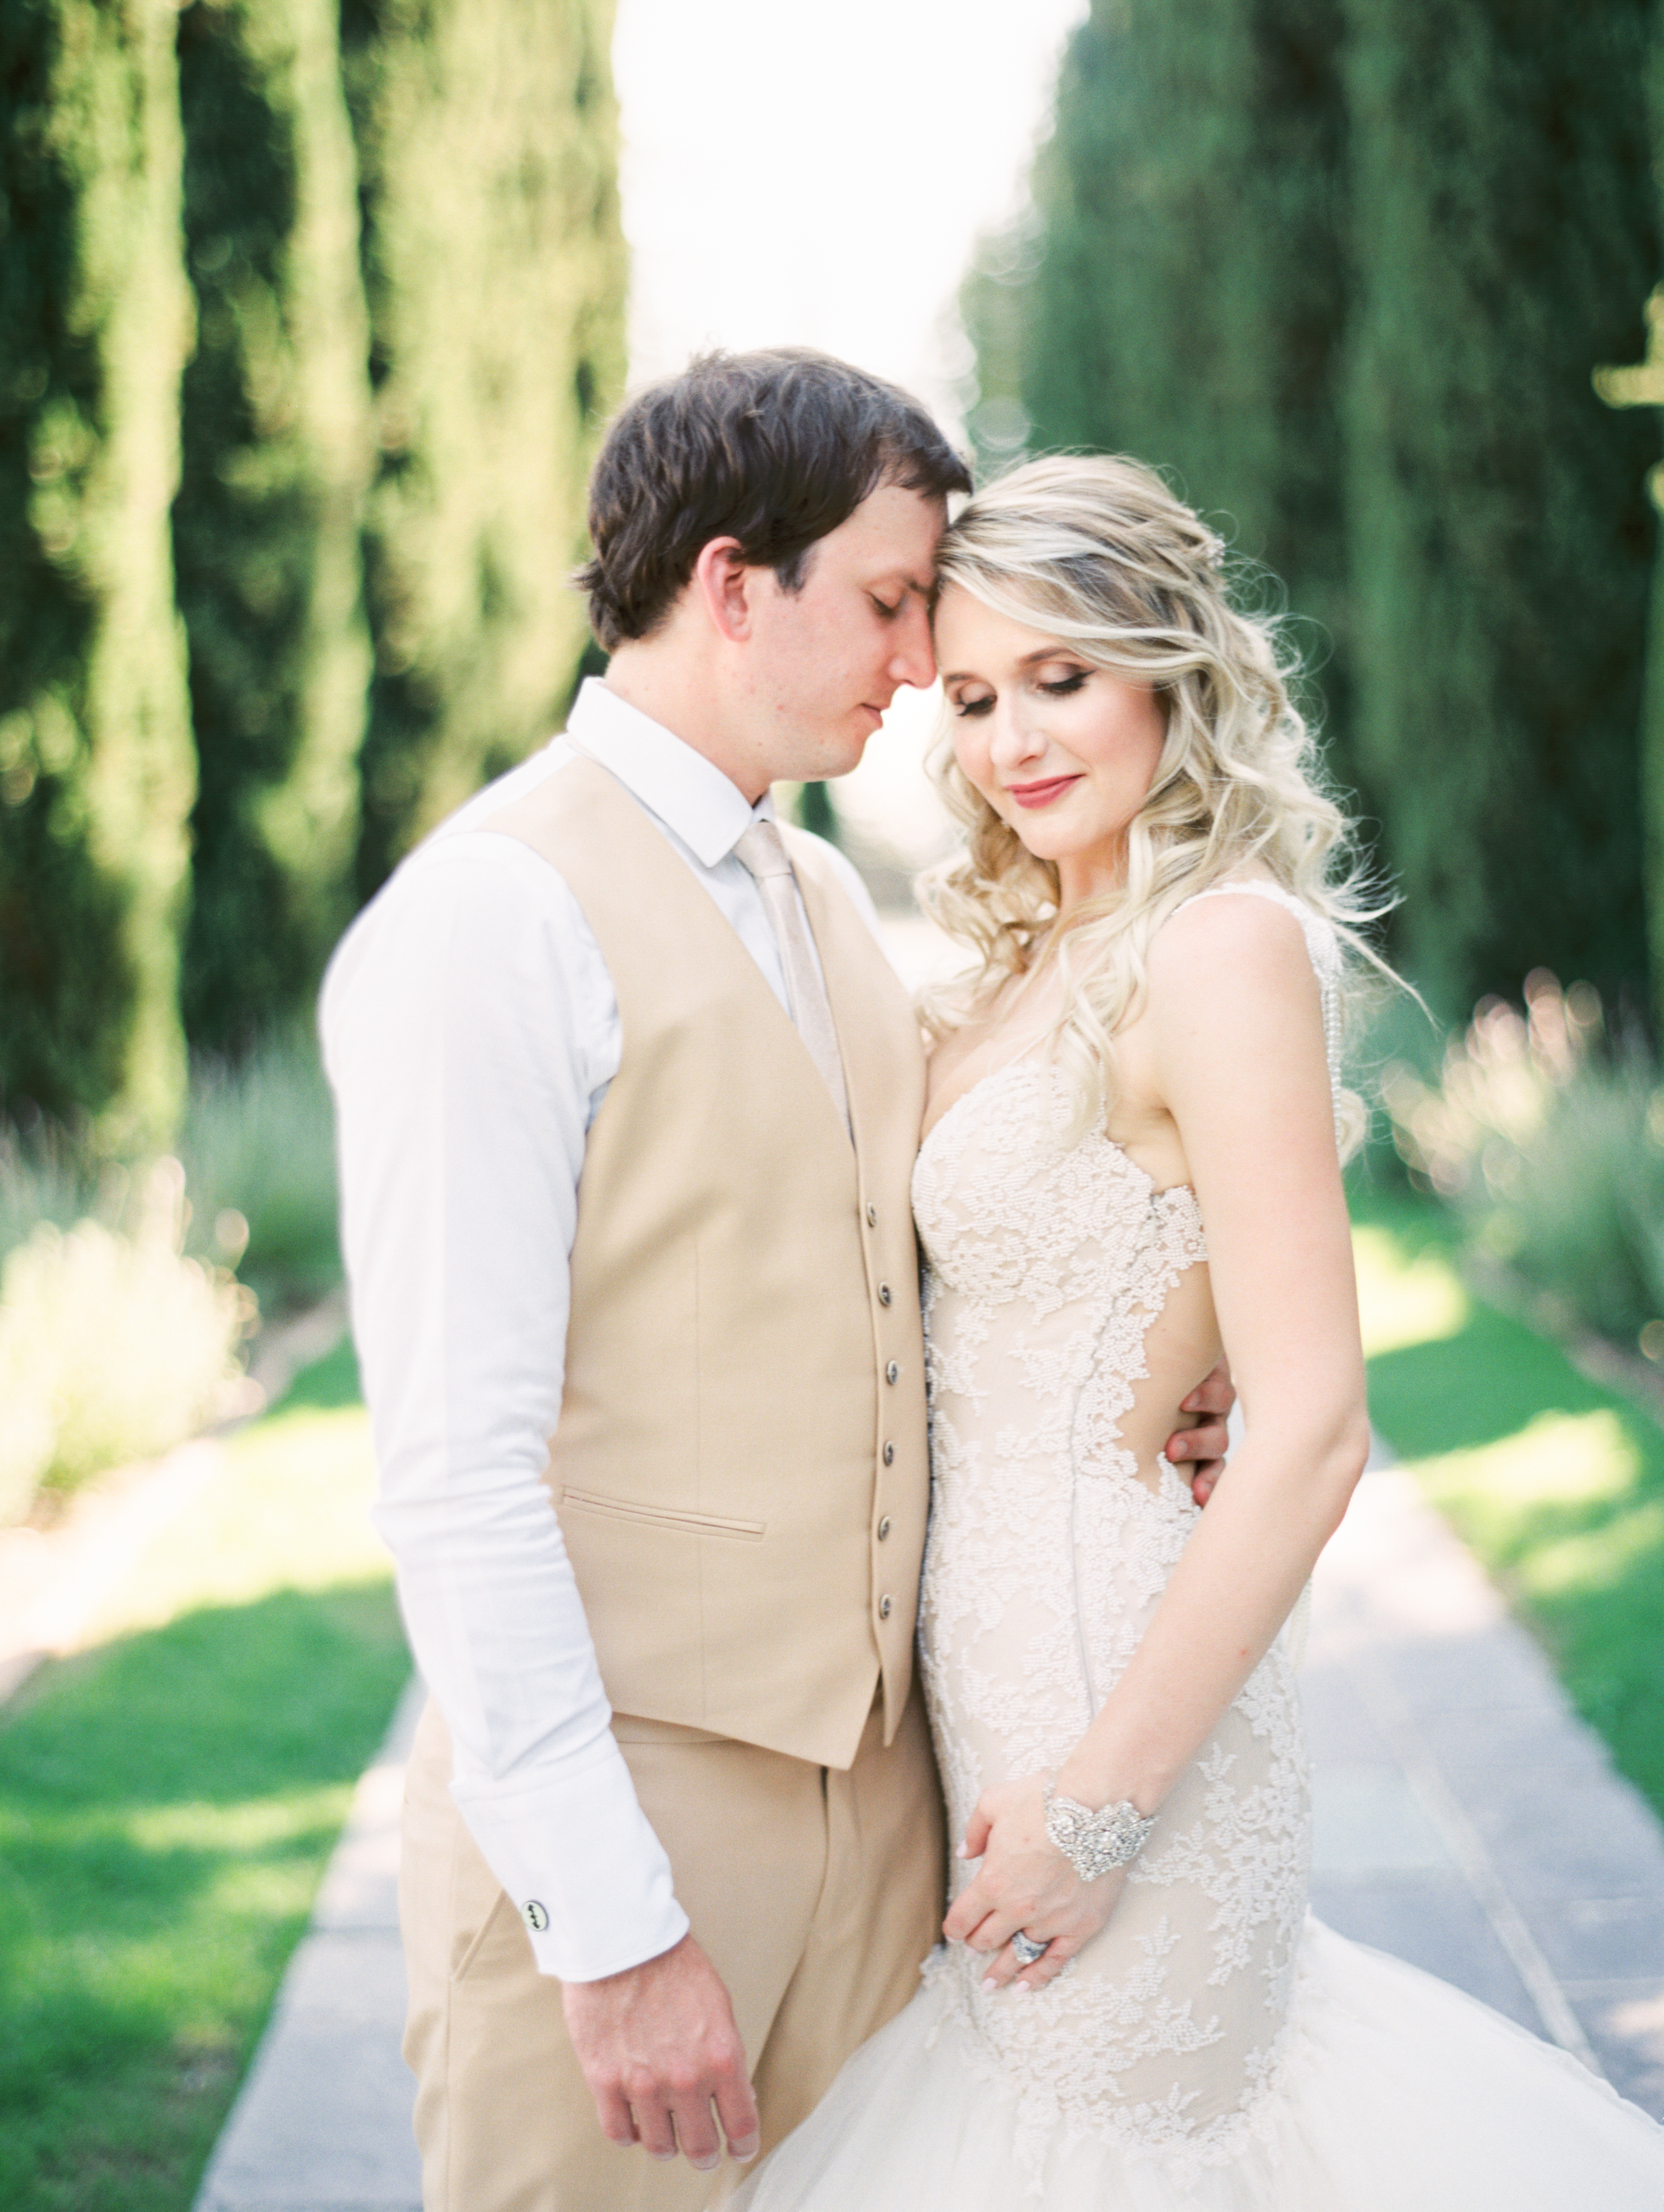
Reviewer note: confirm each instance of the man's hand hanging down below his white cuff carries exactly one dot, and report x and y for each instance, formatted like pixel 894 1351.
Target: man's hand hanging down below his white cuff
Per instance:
pixel 658 2047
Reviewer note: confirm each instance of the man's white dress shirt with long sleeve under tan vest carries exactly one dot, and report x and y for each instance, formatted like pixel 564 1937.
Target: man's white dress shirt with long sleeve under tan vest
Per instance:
pixel 470 1034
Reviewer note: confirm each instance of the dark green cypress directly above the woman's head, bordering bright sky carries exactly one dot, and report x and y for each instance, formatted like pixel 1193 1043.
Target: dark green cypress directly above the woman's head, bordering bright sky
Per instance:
pixel 1181 289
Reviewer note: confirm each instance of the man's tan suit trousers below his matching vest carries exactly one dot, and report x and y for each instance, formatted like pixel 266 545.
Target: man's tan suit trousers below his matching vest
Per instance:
pixel 815 1895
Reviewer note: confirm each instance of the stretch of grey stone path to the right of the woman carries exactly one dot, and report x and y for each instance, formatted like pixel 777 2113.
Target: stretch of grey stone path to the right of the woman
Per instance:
pixel 1466 1819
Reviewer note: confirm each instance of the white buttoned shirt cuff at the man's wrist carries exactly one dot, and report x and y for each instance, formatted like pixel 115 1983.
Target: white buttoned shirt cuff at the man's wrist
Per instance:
pixel 581 1866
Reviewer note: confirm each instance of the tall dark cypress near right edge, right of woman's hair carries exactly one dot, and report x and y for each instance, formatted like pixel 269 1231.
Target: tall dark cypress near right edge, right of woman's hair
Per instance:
pixel 1499 534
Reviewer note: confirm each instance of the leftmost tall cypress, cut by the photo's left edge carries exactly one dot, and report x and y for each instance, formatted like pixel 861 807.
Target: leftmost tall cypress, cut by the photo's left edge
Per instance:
pixel 96 769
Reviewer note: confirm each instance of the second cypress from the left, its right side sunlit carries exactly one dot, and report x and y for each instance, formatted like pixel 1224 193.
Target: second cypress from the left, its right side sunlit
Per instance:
pixel 267 528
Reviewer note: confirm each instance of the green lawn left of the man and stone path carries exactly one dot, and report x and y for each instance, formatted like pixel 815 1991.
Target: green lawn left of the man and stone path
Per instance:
pixel 167 1808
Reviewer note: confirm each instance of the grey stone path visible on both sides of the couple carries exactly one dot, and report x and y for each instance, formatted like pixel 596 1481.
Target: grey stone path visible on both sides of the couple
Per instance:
pixel 1466 1819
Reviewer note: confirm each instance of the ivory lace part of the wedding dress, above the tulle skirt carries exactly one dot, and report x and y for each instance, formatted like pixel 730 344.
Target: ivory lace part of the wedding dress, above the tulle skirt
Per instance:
pixel 1050 1280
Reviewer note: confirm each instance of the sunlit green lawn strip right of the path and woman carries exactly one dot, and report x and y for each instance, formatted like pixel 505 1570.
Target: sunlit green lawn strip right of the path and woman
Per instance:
pixel 1557 1483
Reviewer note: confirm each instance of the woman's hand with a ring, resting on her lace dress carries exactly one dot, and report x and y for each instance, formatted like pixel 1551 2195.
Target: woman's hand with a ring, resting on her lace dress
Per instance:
pixel 1026 1884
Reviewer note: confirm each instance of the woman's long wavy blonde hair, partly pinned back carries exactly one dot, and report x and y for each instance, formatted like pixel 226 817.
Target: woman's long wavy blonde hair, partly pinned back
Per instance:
pixel 1099 554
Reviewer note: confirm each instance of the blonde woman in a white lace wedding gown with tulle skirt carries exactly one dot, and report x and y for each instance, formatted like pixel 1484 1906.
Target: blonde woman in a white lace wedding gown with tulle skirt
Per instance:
pixel 1132 1160
